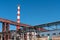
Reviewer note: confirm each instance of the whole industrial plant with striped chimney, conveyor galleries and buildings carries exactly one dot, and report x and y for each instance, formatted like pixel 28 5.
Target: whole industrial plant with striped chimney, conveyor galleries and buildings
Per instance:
pixel 48 31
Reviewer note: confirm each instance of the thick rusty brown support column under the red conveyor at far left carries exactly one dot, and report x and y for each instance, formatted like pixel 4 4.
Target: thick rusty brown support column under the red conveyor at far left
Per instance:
pixel 5 29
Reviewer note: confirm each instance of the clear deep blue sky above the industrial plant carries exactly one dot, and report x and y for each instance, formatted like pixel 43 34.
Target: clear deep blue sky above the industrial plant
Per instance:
pixel 33 12
